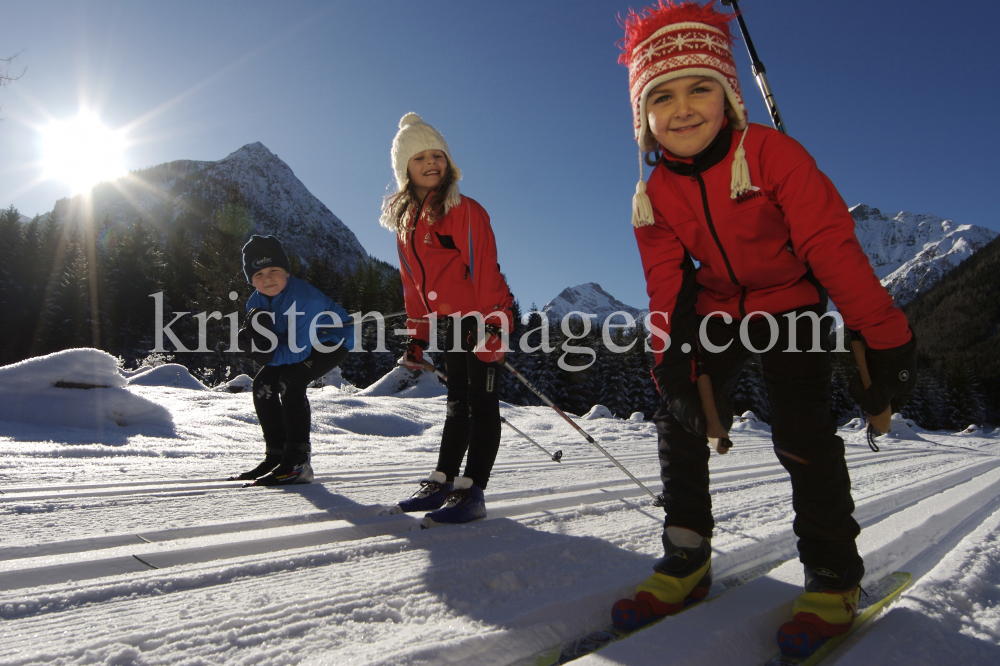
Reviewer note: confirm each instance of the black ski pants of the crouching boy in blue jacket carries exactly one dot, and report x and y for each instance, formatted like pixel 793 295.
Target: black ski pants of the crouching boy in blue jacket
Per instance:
pixel 279 396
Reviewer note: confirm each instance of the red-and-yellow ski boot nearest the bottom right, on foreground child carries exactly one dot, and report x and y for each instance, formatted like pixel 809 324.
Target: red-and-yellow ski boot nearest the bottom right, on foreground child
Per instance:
pixel 827 608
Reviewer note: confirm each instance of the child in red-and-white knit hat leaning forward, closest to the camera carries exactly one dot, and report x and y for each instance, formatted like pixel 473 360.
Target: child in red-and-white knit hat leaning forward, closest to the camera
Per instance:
pixel 772 238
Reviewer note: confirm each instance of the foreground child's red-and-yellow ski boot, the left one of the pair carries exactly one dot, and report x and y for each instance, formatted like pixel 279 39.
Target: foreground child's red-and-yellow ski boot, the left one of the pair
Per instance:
pixel 683 575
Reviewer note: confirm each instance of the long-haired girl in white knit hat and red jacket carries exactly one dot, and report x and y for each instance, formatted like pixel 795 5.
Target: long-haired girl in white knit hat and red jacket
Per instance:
pixel 448 262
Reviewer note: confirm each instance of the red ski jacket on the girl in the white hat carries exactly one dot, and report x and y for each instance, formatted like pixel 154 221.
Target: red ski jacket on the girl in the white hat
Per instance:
pixel 450 265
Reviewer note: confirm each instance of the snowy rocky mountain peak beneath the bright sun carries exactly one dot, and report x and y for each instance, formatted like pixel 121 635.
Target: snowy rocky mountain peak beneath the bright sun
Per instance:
pixel 280 203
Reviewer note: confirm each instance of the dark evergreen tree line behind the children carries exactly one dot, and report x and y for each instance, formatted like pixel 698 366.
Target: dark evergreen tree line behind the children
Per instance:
pixel 63 285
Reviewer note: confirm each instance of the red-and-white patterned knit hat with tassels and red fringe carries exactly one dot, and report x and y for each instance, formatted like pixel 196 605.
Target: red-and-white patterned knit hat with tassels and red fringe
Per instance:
pixel 668 41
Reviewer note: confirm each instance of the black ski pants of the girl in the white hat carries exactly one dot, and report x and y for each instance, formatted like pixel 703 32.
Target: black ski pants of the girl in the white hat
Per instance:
pixel 473 419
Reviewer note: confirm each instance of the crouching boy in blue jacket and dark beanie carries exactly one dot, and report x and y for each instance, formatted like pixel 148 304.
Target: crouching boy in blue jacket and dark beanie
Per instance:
pixel 298 334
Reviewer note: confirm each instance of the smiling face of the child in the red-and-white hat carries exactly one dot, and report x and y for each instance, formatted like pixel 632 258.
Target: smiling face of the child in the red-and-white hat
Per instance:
pixel 686 114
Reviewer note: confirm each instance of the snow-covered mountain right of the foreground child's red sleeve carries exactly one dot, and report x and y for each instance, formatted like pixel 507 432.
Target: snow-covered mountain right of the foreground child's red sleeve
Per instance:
pixel 910 253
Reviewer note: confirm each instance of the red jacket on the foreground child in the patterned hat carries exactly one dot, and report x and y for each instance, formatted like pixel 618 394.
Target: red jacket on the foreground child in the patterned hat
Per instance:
pixel 756 251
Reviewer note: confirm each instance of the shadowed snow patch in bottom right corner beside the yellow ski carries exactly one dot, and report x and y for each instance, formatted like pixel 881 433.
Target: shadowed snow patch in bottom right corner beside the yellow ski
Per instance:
pixel 906 636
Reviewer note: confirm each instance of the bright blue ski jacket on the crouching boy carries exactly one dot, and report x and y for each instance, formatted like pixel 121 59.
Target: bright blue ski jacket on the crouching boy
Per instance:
pixel 309 304
